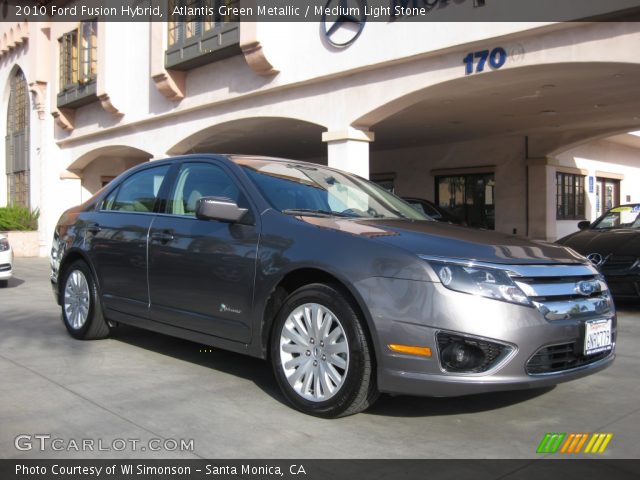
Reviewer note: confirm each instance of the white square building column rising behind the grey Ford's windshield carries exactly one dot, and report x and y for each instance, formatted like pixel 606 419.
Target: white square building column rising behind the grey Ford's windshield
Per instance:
pixel 349 150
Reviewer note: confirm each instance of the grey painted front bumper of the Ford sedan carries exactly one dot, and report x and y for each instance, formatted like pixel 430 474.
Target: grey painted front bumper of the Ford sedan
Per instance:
pixel 406 312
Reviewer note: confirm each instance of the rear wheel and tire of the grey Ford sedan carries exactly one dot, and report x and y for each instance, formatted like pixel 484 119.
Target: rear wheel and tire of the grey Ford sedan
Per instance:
pixel 81 307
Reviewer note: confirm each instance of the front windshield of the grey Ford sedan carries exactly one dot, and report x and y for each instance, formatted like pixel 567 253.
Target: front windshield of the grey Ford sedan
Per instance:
pixel 303 189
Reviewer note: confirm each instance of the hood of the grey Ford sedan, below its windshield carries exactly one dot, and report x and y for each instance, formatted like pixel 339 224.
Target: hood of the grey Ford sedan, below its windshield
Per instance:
pixel 444 240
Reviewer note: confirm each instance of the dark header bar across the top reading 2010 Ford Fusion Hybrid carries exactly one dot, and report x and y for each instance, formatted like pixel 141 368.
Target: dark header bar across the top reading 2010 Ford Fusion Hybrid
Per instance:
pixel 319 10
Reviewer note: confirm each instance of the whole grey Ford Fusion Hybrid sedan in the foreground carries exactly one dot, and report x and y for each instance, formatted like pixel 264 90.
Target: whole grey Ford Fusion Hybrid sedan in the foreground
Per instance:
pixel 347 290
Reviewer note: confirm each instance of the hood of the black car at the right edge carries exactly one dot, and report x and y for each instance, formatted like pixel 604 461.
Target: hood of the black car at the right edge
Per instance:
pixel 621 241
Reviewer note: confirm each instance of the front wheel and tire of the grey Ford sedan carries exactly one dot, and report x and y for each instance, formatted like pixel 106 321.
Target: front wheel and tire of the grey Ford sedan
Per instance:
pixel 320 353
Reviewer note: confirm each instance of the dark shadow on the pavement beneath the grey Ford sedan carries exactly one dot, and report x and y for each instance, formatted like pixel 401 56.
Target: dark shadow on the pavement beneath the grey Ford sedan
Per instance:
pixel 259 372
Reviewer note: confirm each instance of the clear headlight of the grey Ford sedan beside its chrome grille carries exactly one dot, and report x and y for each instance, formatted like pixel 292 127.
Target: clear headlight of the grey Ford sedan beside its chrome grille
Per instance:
pixel 484 281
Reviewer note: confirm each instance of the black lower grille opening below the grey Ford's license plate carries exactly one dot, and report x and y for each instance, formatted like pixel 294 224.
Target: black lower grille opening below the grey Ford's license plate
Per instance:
pixel 558 358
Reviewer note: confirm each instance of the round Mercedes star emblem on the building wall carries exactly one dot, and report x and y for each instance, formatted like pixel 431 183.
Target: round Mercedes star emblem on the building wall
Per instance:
pixel 343 21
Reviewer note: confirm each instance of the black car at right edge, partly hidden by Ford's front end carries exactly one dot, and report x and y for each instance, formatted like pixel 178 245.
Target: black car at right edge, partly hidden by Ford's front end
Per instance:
pixel 612 243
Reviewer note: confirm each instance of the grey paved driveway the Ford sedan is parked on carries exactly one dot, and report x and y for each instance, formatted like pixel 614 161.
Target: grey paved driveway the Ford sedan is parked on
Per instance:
pixel 122 392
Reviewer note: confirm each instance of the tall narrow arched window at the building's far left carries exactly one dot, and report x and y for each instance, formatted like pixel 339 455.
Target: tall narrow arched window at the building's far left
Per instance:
pixel 17 142
